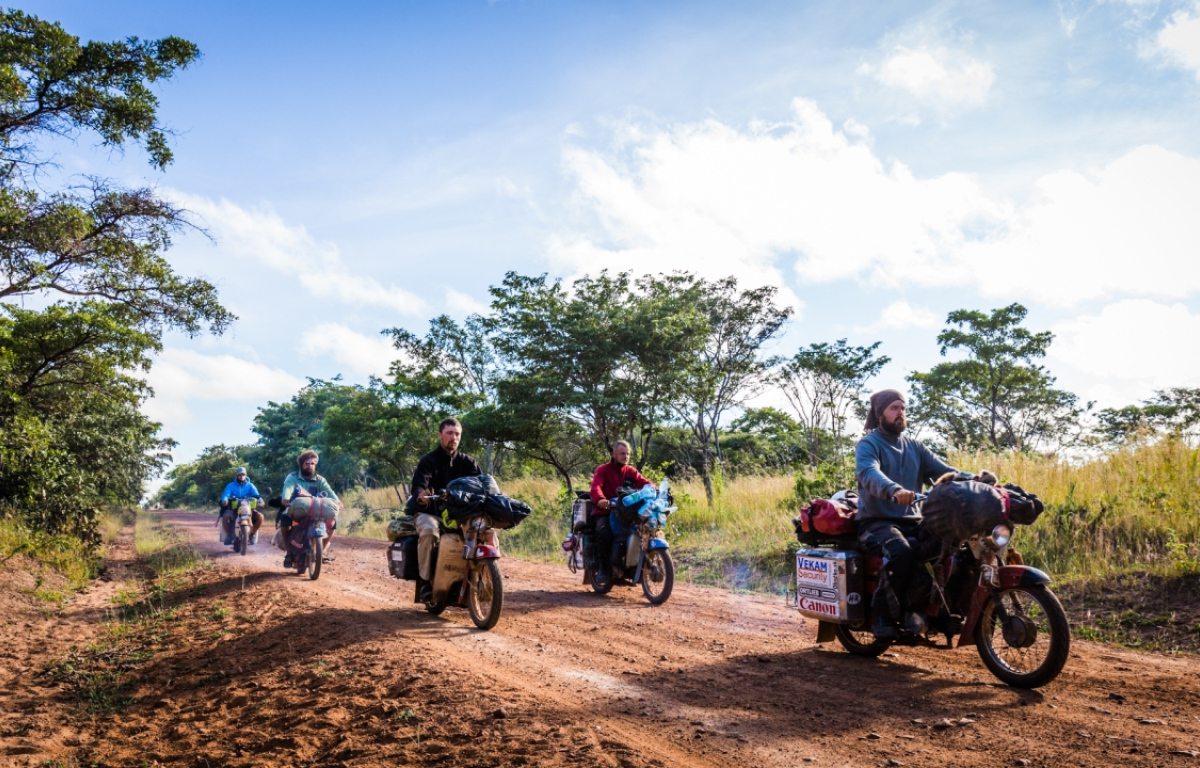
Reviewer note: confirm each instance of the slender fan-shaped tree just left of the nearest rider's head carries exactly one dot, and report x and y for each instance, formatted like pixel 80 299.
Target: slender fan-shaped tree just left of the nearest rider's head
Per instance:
pixel 824 383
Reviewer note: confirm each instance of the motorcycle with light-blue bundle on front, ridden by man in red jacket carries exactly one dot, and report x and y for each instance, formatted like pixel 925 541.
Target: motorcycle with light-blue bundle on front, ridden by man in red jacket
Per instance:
pixel 644 555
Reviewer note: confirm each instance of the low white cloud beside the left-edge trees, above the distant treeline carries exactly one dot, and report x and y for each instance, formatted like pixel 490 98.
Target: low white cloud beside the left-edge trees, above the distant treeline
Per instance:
pixel 181 376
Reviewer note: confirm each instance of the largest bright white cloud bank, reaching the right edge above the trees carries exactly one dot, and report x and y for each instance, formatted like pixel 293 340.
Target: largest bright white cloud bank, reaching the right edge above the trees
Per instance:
pixel 718 201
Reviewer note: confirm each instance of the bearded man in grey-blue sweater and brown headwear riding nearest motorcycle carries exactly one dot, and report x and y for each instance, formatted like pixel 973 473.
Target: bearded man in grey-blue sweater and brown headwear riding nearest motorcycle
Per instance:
pixel 891 470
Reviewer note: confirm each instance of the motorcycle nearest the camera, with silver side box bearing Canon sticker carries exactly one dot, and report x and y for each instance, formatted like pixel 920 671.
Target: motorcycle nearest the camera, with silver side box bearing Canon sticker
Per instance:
pixel 979 593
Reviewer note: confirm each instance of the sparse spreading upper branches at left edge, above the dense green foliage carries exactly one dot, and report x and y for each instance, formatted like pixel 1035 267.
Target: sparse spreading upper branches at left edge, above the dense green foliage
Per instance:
pixel 91 241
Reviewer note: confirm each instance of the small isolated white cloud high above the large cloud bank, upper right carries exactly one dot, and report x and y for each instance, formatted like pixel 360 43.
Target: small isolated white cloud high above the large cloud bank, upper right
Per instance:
pixel 935 76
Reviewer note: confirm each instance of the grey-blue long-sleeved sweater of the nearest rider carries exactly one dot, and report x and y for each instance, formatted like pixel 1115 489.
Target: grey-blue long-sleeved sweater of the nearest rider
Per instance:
pixel 885 465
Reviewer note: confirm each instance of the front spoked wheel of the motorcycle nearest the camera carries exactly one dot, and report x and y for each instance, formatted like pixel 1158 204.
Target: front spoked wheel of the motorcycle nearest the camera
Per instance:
pixel 1029 647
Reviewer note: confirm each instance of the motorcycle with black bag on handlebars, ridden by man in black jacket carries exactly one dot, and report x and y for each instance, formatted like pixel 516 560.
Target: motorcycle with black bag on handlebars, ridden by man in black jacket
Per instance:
pixel 466 569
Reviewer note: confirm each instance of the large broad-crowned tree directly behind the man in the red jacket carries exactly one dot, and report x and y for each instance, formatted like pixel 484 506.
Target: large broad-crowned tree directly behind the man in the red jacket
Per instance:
pixel 603 357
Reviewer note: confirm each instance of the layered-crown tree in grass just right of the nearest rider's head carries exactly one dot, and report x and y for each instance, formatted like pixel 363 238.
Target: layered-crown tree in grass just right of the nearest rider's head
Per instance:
pixel 999 398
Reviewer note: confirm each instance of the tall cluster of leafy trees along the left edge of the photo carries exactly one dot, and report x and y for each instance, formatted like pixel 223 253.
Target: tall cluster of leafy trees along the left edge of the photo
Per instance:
pixel 86 293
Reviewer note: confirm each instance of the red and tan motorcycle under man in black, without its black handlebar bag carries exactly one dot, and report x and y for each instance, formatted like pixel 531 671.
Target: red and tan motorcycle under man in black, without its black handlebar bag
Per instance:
pixel 466 572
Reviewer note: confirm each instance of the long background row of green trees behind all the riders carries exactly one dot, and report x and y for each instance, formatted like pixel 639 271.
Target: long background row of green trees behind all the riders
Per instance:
pixel 553 376
